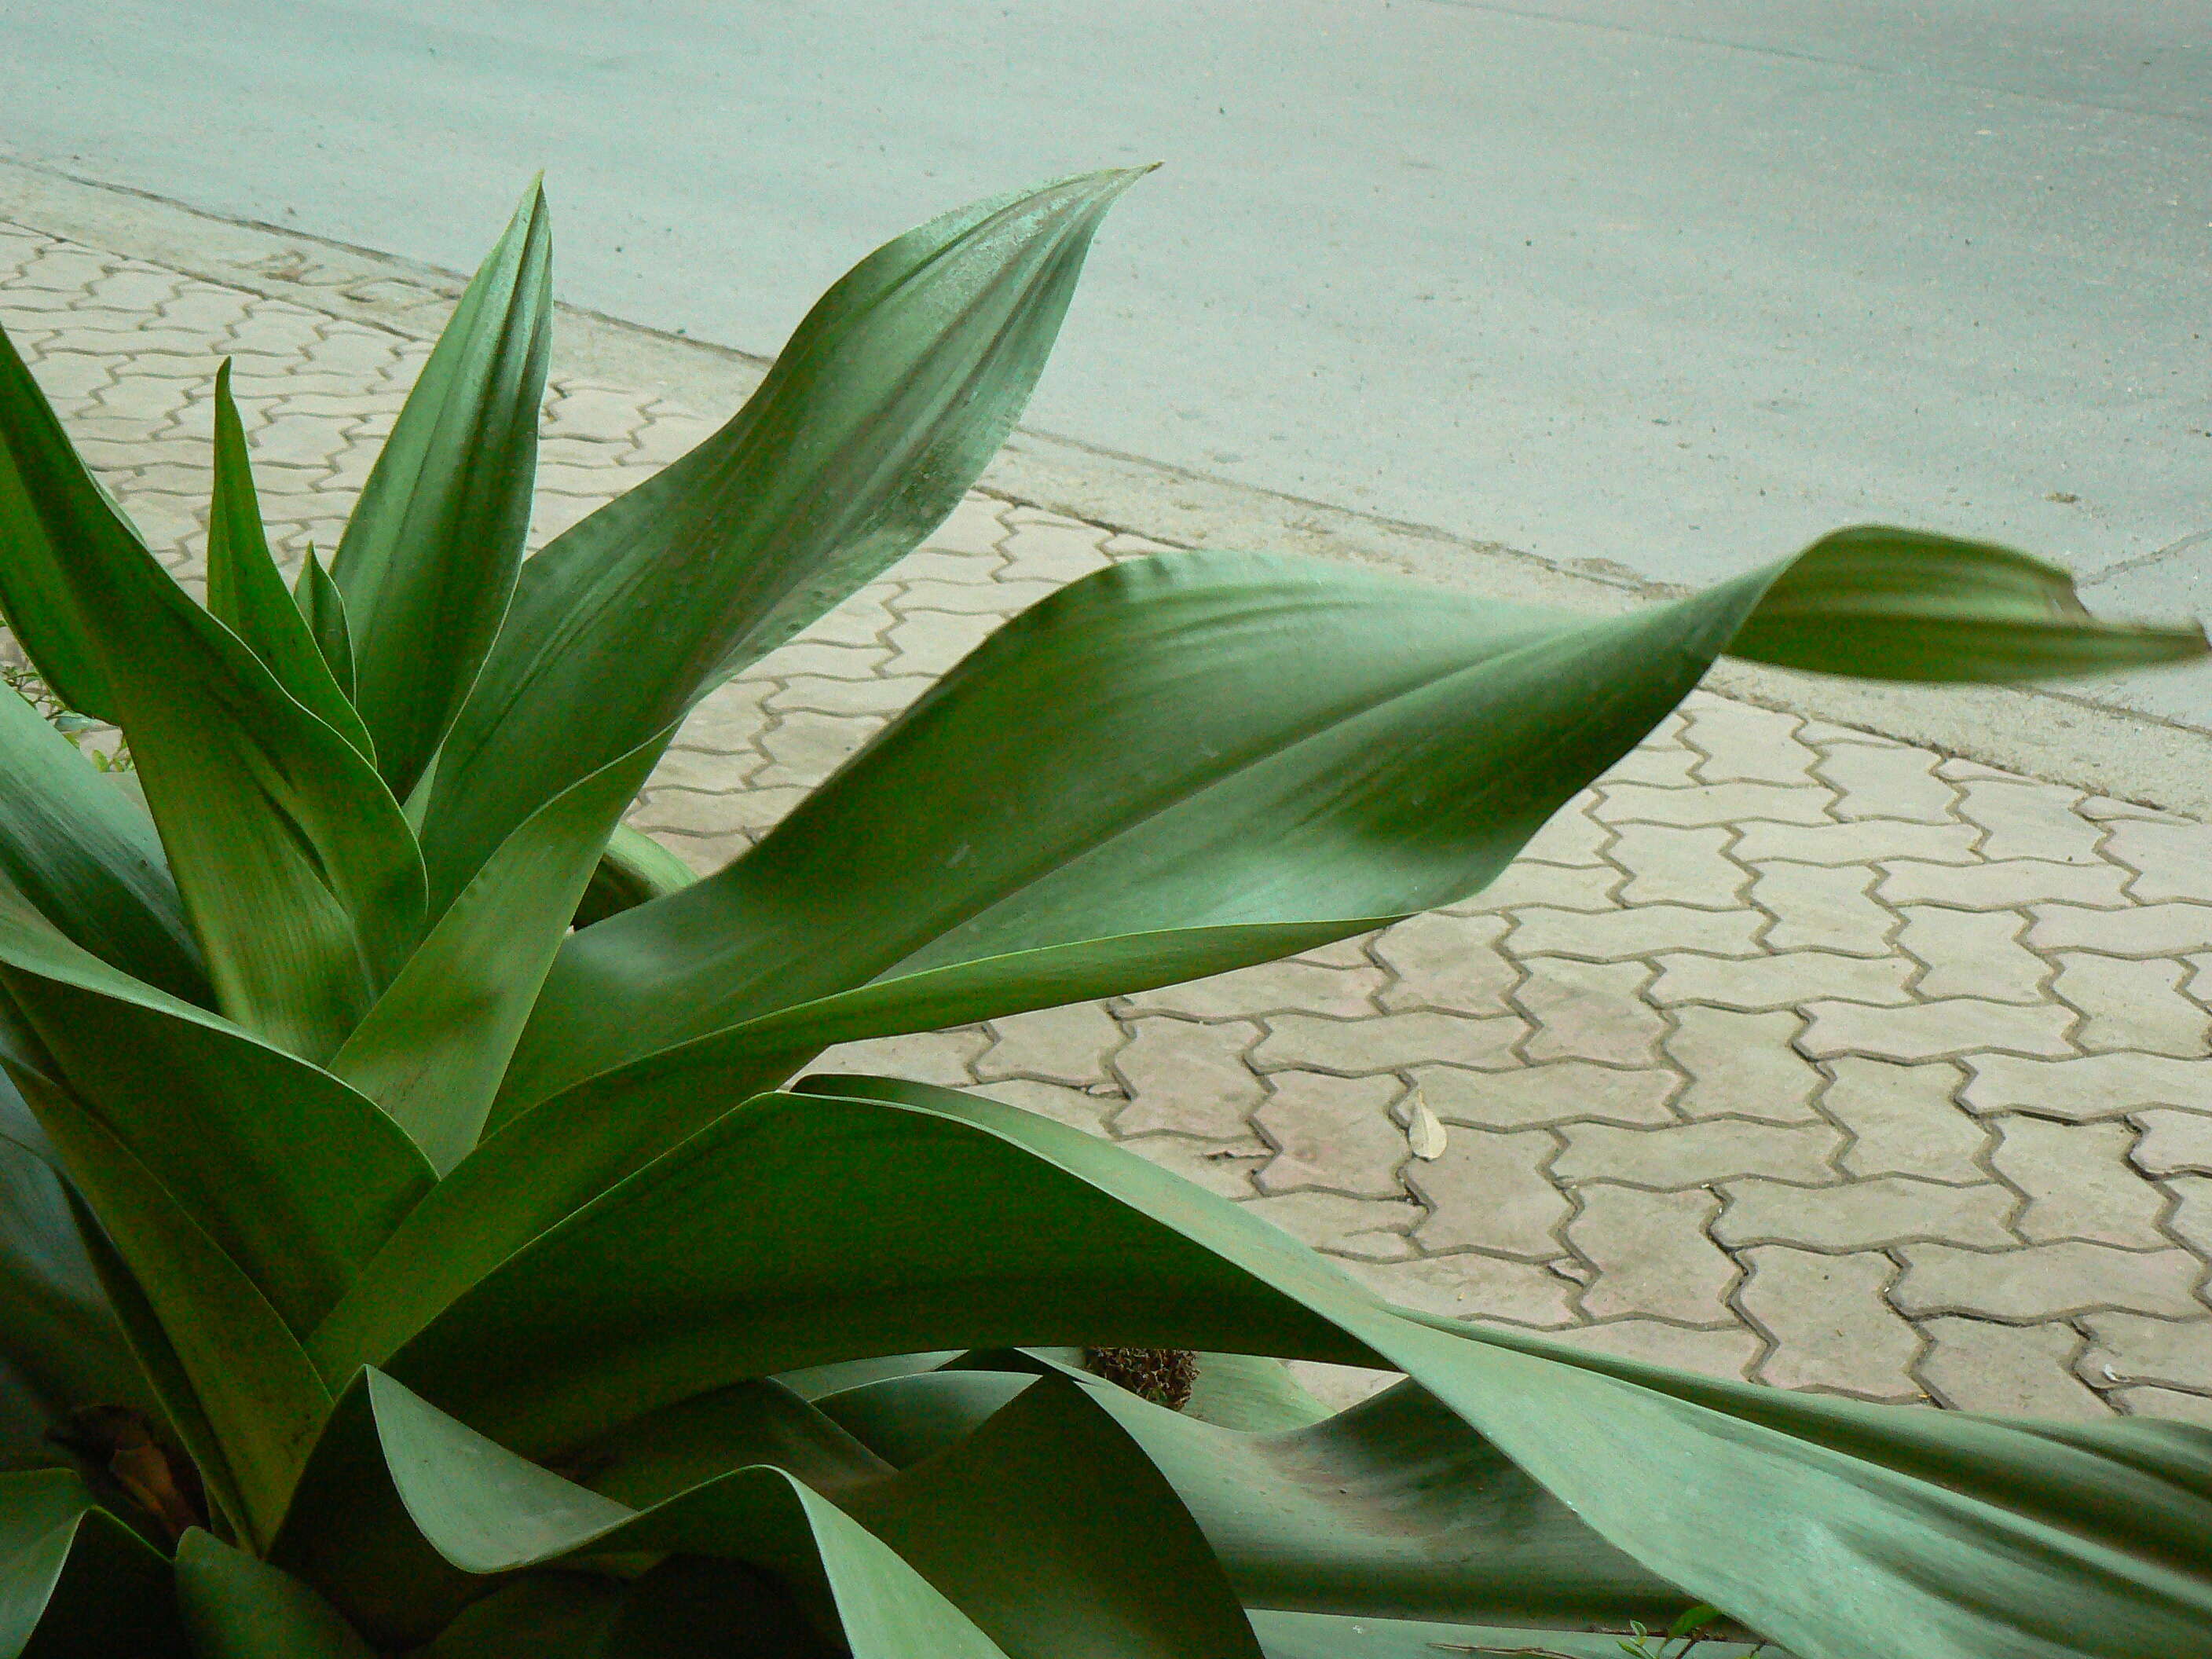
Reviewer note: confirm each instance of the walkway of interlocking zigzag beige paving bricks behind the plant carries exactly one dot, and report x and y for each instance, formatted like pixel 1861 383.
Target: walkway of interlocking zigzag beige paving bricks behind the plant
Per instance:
pixel 1788 1052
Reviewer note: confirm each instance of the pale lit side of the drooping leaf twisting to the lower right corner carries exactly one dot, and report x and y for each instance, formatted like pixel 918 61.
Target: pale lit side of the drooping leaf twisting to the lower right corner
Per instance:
pixel 1828 1525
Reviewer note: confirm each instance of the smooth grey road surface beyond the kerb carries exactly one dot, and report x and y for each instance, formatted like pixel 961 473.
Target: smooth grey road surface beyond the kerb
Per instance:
pixel 1649 291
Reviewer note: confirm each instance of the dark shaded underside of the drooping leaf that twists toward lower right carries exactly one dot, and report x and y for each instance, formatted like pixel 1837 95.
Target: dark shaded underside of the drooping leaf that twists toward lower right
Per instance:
pixel 744 1253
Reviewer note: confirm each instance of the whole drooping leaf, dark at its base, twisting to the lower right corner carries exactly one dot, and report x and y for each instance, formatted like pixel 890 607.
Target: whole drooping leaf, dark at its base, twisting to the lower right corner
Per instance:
pixel 789 1238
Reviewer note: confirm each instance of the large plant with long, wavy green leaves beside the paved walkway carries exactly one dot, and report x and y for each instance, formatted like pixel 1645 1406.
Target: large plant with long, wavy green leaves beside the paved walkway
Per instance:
pixel 415 1240
